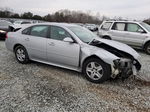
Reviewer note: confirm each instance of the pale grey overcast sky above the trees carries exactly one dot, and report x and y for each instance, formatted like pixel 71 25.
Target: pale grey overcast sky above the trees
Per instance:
pixel 133 9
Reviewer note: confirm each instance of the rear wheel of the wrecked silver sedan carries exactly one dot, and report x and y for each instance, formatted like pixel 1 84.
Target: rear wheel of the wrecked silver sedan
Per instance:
pixel 21 55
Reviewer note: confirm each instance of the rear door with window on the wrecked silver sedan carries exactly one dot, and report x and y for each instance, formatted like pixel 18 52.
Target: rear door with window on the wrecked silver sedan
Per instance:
pixel 35 42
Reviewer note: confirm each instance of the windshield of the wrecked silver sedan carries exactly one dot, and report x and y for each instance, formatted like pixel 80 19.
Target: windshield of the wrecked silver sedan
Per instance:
pixel 82 33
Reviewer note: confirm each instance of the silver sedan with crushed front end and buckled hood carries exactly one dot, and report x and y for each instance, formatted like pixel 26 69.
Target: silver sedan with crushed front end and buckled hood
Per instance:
pixel 73 47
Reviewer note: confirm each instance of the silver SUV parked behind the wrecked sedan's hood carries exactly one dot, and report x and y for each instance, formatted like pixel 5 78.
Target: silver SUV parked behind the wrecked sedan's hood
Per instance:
pixel 133 33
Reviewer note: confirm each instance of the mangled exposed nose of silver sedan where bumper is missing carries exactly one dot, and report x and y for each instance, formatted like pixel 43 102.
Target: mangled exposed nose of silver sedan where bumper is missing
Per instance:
pixel 127 67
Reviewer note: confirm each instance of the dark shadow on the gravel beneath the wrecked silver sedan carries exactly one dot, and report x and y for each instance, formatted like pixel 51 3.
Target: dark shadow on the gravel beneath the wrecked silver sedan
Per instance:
pixel 131 80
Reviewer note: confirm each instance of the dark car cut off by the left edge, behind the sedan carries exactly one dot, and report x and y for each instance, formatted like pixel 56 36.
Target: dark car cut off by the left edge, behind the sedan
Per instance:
pixel 4 28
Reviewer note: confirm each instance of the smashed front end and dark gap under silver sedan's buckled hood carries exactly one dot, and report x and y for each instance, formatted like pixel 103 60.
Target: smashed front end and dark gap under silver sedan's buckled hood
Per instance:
pixel 123 67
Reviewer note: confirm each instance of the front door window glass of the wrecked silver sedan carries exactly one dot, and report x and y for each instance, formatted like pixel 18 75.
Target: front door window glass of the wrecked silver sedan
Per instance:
pixel 58 33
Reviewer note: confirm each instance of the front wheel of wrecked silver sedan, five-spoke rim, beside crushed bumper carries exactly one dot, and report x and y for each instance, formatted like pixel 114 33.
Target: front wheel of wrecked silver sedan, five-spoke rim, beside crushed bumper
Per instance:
pixel 96 71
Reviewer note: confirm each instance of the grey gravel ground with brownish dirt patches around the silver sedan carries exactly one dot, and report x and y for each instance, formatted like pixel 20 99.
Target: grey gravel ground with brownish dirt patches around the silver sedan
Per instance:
pixel 38 87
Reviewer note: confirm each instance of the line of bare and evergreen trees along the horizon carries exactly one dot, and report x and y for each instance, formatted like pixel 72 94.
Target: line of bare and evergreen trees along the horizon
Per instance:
pixel 59 16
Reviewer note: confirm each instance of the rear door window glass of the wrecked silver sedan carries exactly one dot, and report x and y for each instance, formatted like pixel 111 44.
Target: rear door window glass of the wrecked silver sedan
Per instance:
pixel 39 31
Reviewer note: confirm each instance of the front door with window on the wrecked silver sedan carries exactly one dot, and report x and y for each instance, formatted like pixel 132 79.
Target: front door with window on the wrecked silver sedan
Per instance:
pixel 60 52
